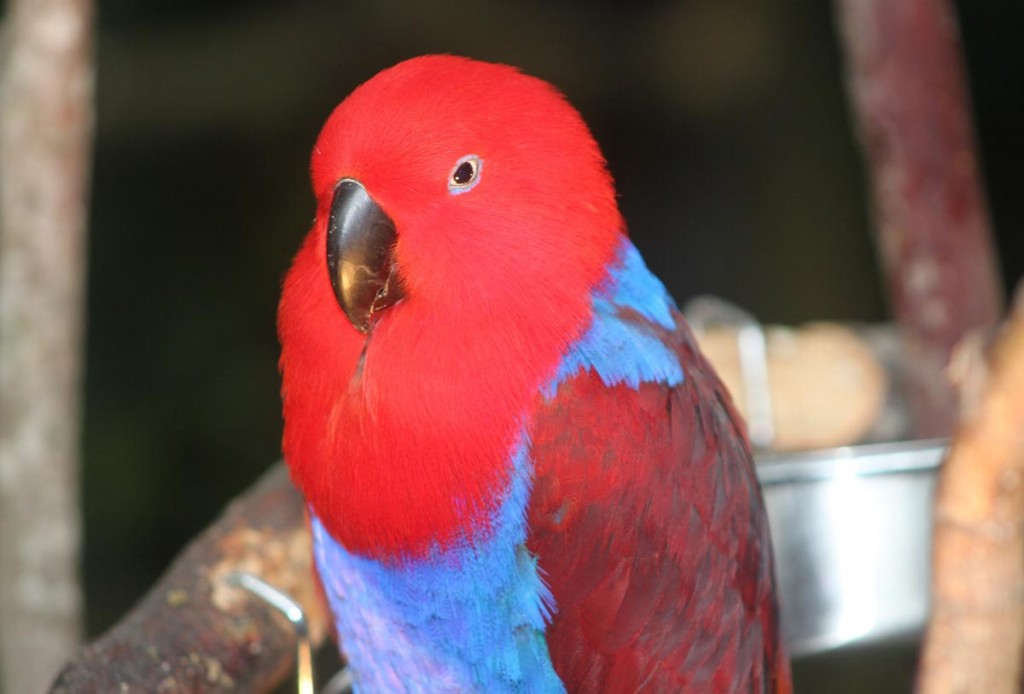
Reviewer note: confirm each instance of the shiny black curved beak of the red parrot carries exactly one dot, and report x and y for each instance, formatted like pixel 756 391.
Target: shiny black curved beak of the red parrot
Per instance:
pixel 361 242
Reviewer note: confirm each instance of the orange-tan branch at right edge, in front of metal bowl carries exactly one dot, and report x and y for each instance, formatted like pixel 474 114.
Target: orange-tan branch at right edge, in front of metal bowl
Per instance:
pixel 975 639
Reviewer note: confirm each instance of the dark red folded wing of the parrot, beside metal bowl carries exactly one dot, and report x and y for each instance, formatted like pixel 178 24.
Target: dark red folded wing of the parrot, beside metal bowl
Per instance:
pixel 650 530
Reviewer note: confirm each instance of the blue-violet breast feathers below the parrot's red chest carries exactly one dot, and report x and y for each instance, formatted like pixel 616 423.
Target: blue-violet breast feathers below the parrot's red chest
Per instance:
pixel 467 619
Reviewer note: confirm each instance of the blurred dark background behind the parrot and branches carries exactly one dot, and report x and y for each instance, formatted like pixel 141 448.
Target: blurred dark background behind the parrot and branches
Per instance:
pixel 724 122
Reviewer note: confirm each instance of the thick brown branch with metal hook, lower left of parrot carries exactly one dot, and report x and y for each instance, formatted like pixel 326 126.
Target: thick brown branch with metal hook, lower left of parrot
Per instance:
pixel 194 632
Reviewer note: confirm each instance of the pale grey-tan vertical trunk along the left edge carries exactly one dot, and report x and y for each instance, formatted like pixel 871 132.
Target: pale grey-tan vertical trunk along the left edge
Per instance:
pixel 47 118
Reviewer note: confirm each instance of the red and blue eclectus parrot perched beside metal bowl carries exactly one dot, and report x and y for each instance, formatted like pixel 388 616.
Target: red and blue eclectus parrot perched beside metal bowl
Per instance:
pixel 523 476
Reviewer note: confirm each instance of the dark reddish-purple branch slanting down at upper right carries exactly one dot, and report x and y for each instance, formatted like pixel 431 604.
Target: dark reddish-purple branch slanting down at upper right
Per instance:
pixel 909 94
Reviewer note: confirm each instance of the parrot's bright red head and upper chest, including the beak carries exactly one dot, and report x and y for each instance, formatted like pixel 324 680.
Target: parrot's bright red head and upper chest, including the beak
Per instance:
pixel 464 214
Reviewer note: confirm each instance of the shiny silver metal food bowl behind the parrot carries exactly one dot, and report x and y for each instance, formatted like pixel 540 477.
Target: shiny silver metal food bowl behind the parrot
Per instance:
pixel 852 534
